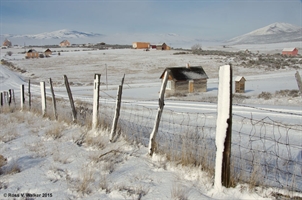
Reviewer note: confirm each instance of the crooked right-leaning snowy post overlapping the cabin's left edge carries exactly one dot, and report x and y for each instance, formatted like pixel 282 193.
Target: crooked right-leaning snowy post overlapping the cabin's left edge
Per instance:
pixel 152 142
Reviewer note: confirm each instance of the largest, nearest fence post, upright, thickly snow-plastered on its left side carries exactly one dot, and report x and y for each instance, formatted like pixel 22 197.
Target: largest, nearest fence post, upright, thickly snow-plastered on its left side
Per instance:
pixel 224 128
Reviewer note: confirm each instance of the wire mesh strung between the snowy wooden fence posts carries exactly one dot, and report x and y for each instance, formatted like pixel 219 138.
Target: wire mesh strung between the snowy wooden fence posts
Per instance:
pixel 265 152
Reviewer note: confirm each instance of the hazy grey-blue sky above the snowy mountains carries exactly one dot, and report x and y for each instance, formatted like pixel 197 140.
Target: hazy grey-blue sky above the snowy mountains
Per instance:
pixel 207 19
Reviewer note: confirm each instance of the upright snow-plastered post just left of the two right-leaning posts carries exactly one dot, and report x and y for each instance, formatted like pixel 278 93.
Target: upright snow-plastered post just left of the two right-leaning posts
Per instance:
pixel 96 96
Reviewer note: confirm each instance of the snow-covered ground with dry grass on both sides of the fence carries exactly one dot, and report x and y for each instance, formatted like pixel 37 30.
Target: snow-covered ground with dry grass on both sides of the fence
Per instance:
pixel 99 170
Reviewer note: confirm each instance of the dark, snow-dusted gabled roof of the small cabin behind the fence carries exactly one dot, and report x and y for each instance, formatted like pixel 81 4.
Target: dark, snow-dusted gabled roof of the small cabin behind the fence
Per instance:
pixel 186 73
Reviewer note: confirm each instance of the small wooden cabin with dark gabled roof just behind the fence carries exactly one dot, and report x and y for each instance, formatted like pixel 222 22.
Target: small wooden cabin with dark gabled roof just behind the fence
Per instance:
pixel 183 80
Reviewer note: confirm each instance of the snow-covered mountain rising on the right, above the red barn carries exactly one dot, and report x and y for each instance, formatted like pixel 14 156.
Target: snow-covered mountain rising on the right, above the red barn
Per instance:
pixel 273 33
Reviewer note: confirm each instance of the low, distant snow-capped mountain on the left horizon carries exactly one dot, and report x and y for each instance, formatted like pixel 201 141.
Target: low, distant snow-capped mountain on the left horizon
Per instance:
pixel 60 34
